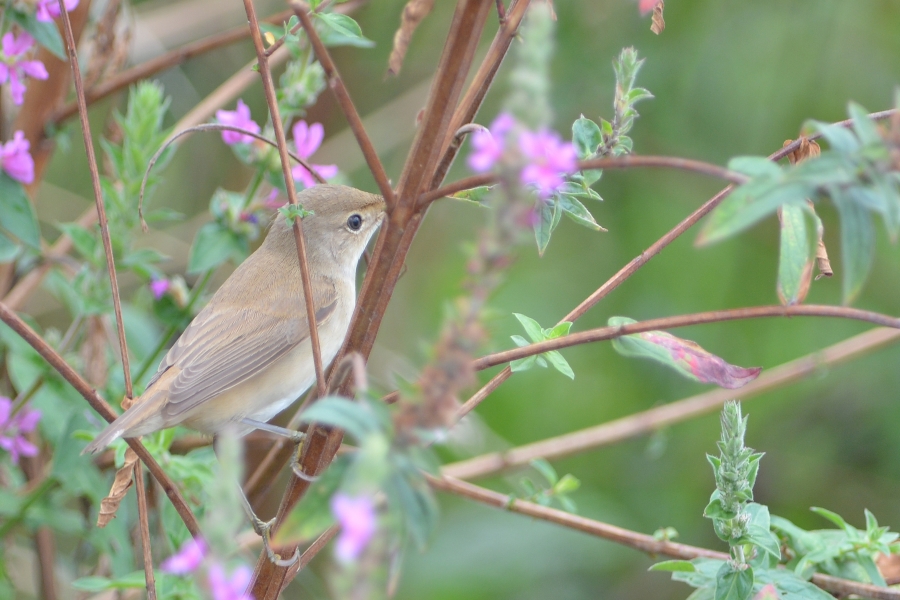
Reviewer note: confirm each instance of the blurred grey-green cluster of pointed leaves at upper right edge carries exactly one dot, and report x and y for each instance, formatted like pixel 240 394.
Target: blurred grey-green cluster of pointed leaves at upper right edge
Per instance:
pixel 857 173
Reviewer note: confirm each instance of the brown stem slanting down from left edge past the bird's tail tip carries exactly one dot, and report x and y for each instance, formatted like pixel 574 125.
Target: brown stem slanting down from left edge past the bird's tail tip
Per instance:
pixel 100 405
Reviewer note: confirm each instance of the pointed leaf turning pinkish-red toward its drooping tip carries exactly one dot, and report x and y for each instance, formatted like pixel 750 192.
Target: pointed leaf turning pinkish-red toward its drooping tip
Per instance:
pixel 684 356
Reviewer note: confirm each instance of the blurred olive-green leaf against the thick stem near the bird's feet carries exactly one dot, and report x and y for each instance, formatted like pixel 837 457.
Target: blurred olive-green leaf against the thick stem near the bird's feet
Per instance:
pixel 313 514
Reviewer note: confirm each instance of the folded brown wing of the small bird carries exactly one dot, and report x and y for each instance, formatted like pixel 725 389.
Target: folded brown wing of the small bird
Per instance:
pixel 221 349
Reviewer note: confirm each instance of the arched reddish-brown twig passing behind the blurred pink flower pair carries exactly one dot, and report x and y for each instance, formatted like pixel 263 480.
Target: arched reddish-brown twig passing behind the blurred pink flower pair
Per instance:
pixel 629 161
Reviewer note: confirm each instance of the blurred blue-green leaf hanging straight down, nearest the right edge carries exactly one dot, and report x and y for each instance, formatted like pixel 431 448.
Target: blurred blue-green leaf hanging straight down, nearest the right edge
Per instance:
pixel 857 245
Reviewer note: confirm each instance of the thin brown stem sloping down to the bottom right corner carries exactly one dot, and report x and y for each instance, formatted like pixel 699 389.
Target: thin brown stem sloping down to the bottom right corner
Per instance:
pixel 632 539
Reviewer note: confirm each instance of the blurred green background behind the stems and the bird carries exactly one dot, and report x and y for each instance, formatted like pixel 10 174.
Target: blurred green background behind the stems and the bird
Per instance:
pixel 730 78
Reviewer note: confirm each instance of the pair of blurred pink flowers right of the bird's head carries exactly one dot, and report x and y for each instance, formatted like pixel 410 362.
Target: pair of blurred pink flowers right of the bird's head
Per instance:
pixel 547 158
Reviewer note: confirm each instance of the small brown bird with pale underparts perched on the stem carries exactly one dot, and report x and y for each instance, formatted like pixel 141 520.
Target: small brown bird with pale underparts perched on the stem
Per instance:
pixel 247 355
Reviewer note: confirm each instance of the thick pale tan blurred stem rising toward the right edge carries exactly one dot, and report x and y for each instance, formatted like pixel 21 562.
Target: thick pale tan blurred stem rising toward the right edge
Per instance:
pixel 663 416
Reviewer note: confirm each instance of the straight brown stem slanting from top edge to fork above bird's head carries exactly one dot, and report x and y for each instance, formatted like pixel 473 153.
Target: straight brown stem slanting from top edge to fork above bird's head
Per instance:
pixel 346 103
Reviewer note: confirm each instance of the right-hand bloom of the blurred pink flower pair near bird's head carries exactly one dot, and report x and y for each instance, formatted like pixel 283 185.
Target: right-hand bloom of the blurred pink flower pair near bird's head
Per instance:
pixel 549 159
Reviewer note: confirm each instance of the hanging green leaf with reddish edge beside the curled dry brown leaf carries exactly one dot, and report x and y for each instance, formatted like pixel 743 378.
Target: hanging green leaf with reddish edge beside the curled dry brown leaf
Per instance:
pixel 796 254
